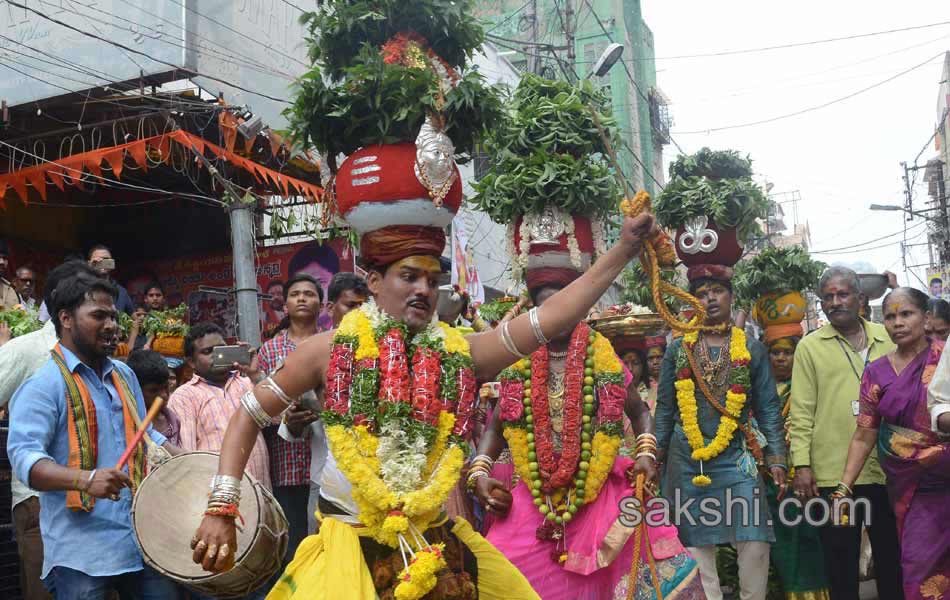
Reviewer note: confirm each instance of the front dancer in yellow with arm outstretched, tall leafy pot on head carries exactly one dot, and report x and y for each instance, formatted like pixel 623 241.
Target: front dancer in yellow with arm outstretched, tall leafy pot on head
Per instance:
pixel 398 387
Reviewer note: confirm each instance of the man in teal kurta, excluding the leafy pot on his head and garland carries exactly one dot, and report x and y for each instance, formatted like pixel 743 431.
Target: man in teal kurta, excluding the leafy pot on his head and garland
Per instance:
pixel 733 508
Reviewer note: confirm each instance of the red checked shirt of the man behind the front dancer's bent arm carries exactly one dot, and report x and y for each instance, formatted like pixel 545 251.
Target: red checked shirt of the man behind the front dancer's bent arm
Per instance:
pixel 289 461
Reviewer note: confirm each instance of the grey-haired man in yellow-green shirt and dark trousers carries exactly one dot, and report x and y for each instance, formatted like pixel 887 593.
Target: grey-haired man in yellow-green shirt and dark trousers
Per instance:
pixel 826 379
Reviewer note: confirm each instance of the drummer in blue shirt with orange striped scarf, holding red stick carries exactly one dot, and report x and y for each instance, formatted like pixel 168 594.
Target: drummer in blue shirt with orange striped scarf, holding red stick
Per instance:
pixel 70 424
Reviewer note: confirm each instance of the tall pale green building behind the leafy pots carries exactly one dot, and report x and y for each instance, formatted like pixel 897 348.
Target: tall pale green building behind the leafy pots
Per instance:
pixel 622 18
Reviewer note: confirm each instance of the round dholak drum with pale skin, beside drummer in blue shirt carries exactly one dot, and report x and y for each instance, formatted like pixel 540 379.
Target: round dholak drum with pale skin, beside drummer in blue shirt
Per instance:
pixel 168 508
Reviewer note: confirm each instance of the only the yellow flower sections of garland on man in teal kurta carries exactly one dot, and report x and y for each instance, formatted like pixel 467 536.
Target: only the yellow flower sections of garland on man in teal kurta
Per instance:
pixel 686 400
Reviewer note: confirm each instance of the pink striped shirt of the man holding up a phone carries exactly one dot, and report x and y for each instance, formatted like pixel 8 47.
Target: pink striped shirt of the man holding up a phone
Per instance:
pixel 204 410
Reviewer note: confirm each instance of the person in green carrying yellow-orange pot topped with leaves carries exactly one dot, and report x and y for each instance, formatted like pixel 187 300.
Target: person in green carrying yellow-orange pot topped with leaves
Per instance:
pixel 784 273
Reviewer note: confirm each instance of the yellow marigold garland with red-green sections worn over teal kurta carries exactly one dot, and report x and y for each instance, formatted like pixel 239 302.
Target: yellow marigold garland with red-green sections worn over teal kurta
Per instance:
pixel 685 387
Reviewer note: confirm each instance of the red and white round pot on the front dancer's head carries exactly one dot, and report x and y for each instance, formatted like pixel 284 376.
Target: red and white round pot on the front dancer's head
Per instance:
pixel 377 180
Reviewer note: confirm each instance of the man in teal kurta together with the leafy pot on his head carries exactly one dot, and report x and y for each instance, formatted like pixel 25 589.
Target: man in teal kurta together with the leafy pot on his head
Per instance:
pixel 712 378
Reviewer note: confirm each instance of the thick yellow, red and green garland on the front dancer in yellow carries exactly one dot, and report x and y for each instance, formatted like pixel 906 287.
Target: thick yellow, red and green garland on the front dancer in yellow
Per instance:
pixel 373 392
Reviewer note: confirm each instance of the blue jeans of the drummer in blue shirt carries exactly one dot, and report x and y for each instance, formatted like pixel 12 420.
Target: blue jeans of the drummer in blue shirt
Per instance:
pixel 147 584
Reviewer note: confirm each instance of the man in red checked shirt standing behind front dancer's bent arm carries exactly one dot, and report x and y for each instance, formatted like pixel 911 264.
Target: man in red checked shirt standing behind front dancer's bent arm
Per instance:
pixel 290 461
